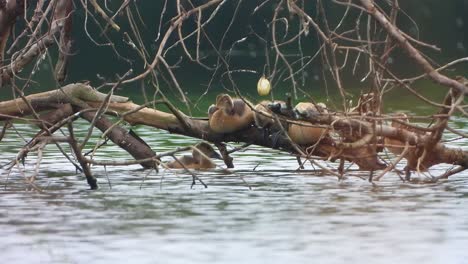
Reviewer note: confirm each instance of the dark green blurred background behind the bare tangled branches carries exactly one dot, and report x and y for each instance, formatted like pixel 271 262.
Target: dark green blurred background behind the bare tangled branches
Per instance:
pixel 442 23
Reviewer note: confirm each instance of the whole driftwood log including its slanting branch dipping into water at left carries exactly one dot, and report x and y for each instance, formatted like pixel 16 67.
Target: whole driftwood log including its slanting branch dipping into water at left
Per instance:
pixel 82 100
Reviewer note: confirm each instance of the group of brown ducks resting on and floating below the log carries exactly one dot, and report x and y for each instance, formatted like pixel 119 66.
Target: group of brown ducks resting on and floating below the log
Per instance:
pixel 229 115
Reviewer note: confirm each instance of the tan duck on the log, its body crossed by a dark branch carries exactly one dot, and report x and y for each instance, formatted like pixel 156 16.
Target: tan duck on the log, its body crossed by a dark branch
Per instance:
pixel 306 134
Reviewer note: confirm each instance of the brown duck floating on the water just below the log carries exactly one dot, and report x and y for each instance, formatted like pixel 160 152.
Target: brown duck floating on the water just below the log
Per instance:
pixel 197 160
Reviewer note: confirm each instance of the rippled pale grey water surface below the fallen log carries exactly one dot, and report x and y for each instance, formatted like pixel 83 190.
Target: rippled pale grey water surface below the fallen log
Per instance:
pixel 157 218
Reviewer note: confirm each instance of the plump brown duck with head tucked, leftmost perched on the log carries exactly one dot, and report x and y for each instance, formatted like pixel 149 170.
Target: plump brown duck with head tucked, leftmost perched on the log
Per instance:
pixel 229 115
